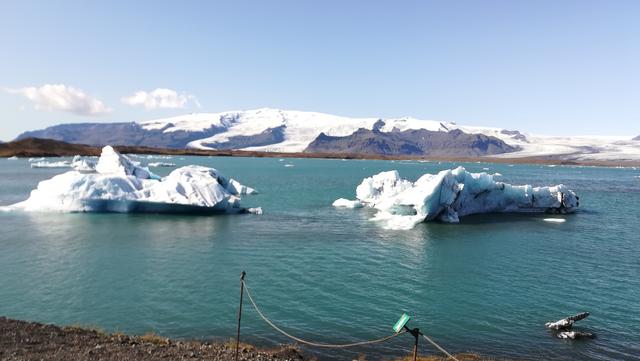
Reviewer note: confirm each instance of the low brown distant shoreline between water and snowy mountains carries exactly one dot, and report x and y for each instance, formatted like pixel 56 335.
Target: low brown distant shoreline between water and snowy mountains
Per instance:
pixel 34 147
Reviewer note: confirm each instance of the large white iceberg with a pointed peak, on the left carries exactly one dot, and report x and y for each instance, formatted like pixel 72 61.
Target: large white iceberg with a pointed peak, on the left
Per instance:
pixel 120 185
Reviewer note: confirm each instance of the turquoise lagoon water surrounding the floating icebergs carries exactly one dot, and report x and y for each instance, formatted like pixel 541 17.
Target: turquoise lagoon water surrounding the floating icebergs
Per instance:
pixel 486 285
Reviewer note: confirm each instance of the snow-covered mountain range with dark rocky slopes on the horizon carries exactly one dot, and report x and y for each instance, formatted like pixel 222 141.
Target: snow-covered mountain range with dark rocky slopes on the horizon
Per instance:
pixel 274 130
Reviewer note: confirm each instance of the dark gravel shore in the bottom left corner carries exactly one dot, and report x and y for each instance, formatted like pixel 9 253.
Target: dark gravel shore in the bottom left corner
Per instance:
pixel 20 340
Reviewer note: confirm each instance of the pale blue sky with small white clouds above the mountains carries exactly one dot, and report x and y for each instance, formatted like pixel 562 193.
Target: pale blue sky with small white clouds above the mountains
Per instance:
pixel 543 67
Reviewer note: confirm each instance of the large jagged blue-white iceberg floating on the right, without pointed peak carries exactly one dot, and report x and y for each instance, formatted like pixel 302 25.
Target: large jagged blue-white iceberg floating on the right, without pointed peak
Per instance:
pixel 454 193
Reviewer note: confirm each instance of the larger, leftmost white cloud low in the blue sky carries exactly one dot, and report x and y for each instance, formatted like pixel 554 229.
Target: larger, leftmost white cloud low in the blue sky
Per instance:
pixel 64 98
